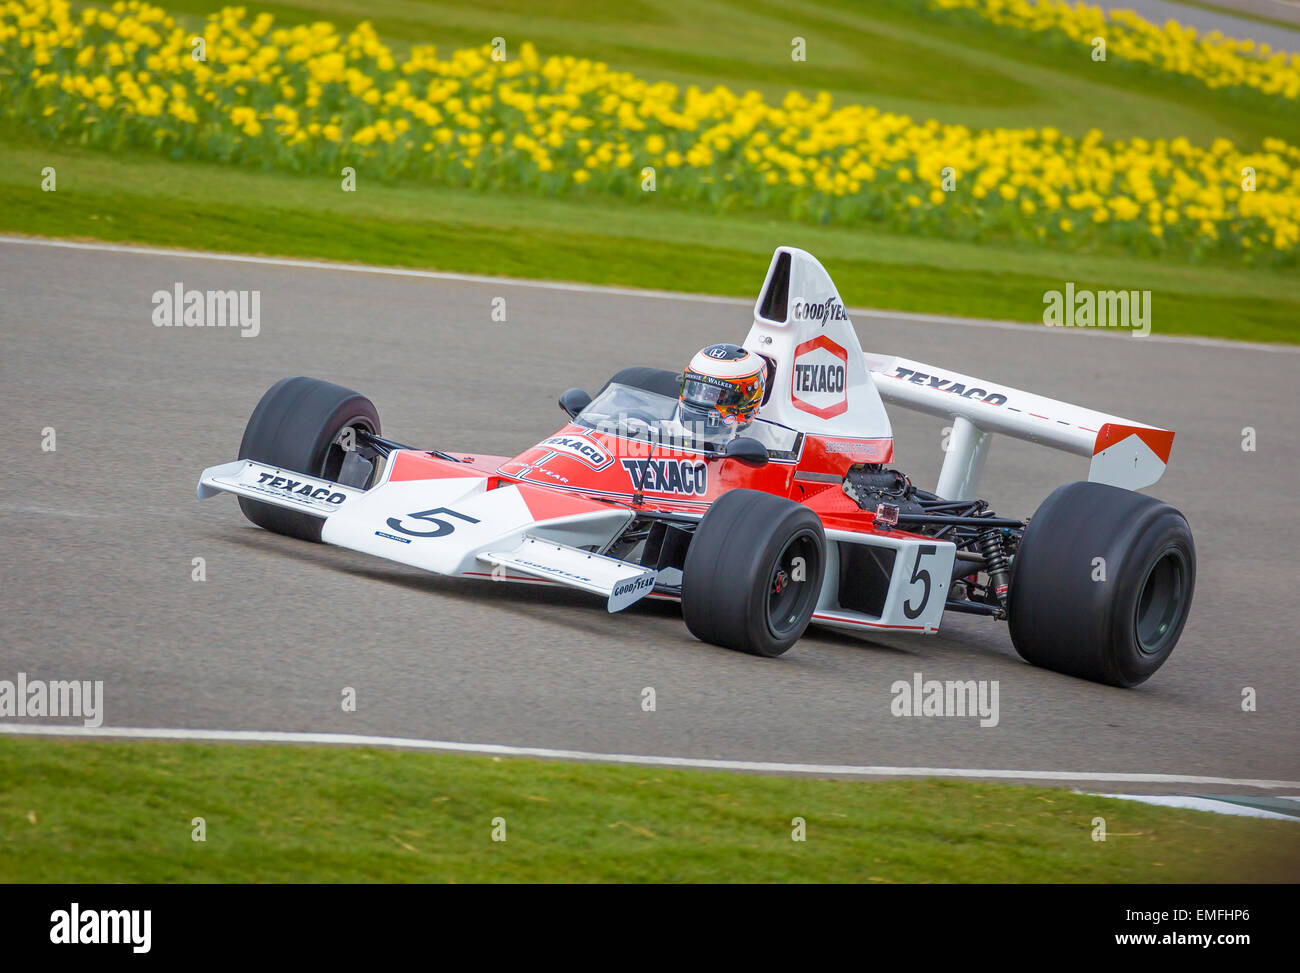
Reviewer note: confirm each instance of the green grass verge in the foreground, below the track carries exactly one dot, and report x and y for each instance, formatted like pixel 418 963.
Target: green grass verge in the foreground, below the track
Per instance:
pixel 123 812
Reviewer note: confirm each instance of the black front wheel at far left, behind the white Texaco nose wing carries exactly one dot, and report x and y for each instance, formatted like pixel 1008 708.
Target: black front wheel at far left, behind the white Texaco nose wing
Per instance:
pixel 306 426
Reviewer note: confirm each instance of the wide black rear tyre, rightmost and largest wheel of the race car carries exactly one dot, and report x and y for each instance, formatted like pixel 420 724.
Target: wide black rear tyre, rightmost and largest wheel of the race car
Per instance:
pixel 1102 585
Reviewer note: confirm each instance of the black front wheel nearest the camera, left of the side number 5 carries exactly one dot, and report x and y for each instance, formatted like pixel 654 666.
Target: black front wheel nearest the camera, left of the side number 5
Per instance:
pixel 753 573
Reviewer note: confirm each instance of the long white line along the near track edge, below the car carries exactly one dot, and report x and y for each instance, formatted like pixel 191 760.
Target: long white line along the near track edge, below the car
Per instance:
pixel 545 753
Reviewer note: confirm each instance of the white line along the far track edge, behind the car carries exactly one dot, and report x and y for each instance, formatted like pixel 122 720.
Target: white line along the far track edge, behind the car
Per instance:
pixel 621 292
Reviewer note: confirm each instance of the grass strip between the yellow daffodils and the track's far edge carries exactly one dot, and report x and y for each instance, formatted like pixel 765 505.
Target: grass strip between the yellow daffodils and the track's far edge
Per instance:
pixel 655 244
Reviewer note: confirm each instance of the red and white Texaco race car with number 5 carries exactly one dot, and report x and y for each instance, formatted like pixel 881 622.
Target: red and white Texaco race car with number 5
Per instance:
pixel 773 516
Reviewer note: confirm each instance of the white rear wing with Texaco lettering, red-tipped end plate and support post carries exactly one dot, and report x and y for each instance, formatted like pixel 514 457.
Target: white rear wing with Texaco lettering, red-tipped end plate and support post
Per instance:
pixel 1123 452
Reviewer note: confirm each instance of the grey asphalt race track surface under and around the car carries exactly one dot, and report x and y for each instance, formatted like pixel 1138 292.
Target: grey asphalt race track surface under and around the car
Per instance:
pixel 99 535
